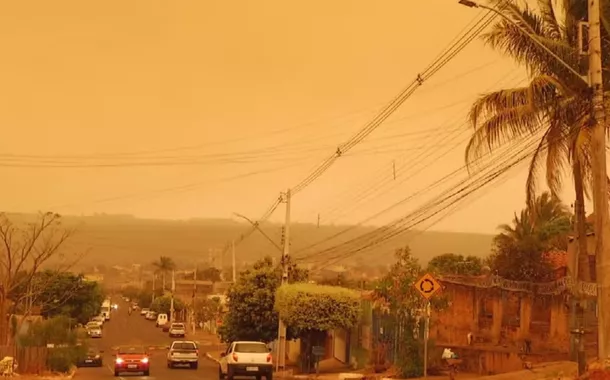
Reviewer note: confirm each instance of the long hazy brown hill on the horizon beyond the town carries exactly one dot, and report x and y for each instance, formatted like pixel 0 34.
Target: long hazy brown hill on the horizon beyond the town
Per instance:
pixel 123 239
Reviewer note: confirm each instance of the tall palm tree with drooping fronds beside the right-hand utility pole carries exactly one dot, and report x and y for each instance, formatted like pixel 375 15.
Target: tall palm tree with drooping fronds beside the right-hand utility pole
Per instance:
pixel 555 103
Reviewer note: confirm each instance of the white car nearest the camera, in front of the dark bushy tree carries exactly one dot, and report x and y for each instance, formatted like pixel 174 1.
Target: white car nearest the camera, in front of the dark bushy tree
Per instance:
pixel 246 359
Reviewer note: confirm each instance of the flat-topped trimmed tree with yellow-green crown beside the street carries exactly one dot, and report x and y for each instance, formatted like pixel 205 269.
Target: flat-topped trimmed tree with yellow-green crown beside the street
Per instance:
pixel 312 310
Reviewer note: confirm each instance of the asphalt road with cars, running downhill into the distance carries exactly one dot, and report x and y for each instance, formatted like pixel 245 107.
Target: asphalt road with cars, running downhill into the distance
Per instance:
pixel 124 329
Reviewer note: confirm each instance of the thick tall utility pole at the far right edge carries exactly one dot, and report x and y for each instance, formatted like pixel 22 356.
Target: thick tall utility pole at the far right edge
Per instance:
pixel 600 184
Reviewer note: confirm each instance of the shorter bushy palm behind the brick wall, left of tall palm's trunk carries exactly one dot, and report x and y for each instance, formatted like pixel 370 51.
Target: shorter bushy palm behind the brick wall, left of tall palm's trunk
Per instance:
pixel 520 248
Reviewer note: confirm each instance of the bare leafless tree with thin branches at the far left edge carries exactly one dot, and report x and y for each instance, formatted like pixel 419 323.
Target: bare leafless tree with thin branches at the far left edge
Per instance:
pixel 24 249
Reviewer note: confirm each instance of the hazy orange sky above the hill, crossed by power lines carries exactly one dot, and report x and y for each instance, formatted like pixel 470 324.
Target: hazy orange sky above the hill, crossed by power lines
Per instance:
pixel 180 109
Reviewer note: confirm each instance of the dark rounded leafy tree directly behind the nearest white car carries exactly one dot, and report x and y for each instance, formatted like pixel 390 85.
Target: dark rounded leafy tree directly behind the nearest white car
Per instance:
pixel 251 314
